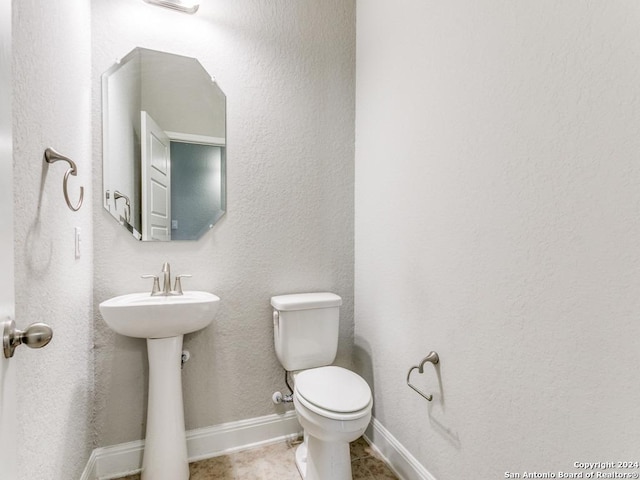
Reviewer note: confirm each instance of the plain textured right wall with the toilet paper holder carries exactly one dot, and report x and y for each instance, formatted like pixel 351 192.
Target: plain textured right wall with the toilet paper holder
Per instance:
pixel 497 222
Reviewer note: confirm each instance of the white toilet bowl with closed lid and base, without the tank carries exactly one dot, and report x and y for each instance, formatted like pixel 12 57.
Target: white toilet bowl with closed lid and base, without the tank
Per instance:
pixel 333 406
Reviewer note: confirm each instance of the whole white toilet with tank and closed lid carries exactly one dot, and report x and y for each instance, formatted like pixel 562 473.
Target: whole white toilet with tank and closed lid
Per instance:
pixel 333 404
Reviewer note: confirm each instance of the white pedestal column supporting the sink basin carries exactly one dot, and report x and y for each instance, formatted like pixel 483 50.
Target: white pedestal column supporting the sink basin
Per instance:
pixel 165 452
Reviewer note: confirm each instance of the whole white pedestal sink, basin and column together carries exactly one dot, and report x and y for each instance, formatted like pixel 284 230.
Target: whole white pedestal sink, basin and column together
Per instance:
pixel 163 321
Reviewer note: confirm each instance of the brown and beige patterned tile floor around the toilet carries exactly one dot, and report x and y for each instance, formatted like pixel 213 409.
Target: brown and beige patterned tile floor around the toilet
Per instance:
pixel 276 462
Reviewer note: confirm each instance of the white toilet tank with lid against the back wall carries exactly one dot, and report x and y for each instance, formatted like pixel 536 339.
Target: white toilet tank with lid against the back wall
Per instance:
pixel 305 329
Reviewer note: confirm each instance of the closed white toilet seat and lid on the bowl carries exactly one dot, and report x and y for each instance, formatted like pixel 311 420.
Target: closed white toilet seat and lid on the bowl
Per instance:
pixel 333 392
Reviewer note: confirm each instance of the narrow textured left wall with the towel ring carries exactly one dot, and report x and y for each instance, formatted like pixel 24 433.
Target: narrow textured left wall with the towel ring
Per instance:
pixel 51 107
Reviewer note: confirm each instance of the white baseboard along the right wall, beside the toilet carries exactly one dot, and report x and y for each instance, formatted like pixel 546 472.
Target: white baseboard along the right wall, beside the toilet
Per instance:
pixel 403 464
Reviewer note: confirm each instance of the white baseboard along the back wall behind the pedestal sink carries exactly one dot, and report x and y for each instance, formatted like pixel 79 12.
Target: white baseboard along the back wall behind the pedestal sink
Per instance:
pixel 126 458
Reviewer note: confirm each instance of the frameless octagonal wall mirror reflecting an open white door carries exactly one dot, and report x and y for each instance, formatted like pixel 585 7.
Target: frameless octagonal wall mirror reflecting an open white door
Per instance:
pixel 164 146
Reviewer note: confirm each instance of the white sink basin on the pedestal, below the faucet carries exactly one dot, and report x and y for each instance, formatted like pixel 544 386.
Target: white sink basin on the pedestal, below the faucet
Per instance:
pixel 143 316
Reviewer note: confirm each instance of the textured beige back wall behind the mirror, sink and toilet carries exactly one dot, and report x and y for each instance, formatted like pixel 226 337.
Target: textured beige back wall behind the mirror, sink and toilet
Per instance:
pixel 287 69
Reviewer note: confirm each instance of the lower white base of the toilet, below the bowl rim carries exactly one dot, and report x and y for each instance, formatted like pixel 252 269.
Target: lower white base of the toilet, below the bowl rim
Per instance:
pixel 320 460
